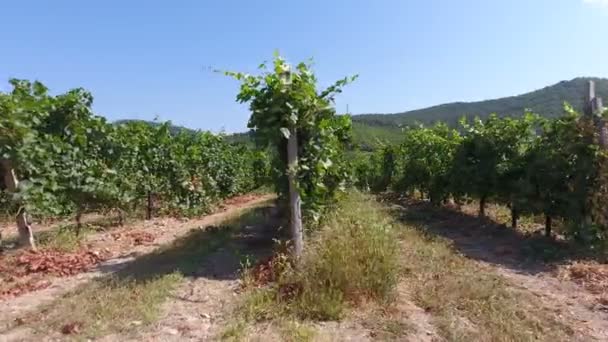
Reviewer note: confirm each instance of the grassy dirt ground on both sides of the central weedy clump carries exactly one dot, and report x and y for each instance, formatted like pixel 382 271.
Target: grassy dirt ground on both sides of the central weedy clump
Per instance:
pixel 463 279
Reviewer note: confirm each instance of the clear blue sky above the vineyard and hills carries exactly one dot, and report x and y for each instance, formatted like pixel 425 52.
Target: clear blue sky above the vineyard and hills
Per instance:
pixel 143 59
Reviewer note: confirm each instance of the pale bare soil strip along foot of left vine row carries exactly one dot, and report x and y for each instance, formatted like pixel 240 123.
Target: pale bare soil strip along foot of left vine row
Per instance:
pixel 121 249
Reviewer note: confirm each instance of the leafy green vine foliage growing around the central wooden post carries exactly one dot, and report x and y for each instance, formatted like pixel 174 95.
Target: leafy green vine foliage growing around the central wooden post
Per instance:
pixel 283 100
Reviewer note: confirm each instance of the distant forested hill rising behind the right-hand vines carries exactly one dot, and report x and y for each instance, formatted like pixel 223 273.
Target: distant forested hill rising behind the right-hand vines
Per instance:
pixel 546 102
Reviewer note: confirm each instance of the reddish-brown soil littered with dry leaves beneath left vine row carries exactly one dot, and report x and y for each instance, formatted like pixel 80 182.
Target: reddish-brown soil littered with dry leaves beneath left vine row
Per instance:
pixel 23 271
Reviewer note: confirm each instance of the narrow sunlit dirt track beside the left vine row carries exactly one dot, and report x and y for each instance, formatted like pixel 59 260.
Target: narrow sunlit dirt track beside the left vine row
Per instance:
pixel 164 230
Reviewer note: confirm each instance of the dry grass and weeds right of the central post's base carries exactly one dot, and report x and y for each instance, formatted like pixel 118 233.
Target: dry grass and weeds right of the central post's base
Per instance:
pixel 465 300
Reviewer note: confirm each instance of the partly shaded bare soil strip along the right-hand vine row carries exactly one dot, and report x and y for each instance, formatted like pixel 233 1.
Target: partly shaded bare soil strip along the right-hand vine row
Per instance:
pixel 518 257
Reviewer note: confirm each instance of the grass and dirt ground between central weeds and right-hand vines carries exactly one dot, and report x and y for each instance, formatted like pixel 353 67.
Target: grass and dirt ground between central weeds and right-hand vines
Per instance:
pixel 464 279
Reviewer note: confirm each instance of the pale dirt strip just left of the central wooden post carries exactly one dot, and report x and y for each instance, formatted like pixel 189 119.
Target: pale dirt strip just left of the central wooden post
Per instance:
pixel 200 309
